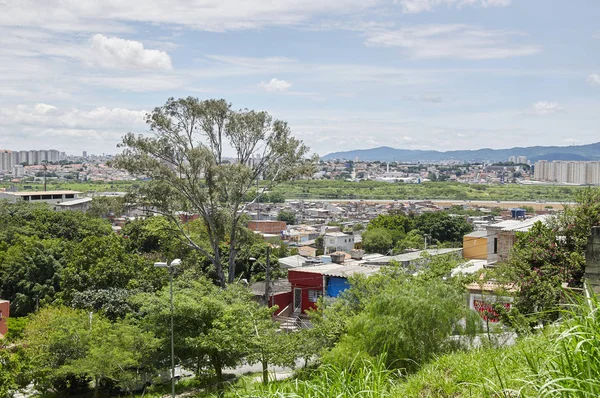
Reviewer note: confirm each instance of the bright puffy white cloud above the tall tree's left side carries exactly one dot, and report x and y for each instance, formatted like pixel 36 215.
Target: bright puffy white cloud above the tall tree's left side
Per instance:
pixel 113 52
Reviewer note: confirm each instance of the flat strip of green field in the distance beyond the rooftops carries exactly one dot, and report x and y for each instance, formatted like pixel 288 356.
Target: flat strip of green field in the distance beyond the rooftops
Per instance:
pixel 343 190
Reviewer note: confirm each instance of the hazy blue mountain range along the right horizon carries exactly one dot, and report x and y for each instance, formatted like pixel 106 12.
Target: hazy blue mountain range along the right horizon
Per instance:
pixel 533 153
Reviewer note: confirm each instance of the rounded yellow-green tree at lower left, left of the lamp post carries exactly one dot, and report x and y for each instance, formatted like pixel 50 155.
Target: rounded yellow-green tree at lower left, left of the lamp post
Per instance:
pixel 67 345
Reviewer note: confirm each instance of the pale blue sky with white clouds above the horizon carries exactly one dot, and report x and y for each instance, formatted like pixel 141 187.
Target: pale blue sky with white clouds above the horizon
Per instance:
pixel 76 75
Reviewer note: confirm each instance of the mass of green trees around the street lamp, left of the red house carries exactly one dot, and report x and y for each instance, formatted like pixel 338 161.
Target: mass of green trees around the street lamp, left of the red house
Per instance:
pixel 87 304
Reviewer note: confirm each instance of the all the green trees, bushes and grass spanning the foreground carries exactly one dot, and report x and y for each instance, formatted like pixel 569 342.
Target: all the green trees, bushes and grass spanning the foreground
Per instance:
pixel 92 314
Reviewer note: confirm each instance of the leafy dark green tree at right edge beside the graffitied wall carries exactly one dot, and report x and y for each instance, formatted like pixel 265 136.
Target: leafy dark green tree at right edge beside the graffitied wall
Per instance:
pixel 548 256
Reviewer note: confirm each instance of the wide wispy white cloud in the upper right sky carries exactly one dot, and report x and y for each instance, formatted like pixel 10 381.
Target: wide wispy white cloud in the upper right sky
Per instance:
pixel 451 41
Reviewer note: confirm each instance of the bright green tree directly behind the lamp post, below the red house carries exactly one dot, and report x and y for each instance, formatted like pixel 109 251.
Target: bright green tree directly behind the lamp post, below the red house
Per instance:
pixel 214 327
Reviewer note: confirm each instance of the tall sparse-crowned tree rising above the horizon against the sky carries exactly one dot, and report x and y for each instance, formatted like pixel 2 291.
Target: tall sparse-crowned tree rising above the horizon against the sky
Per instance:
pixel 186 158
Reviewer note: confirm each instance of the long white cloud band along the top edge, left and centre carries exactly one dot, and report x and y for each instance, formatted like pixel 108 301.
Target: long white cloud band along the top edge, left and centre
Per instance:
pixel 211 15
